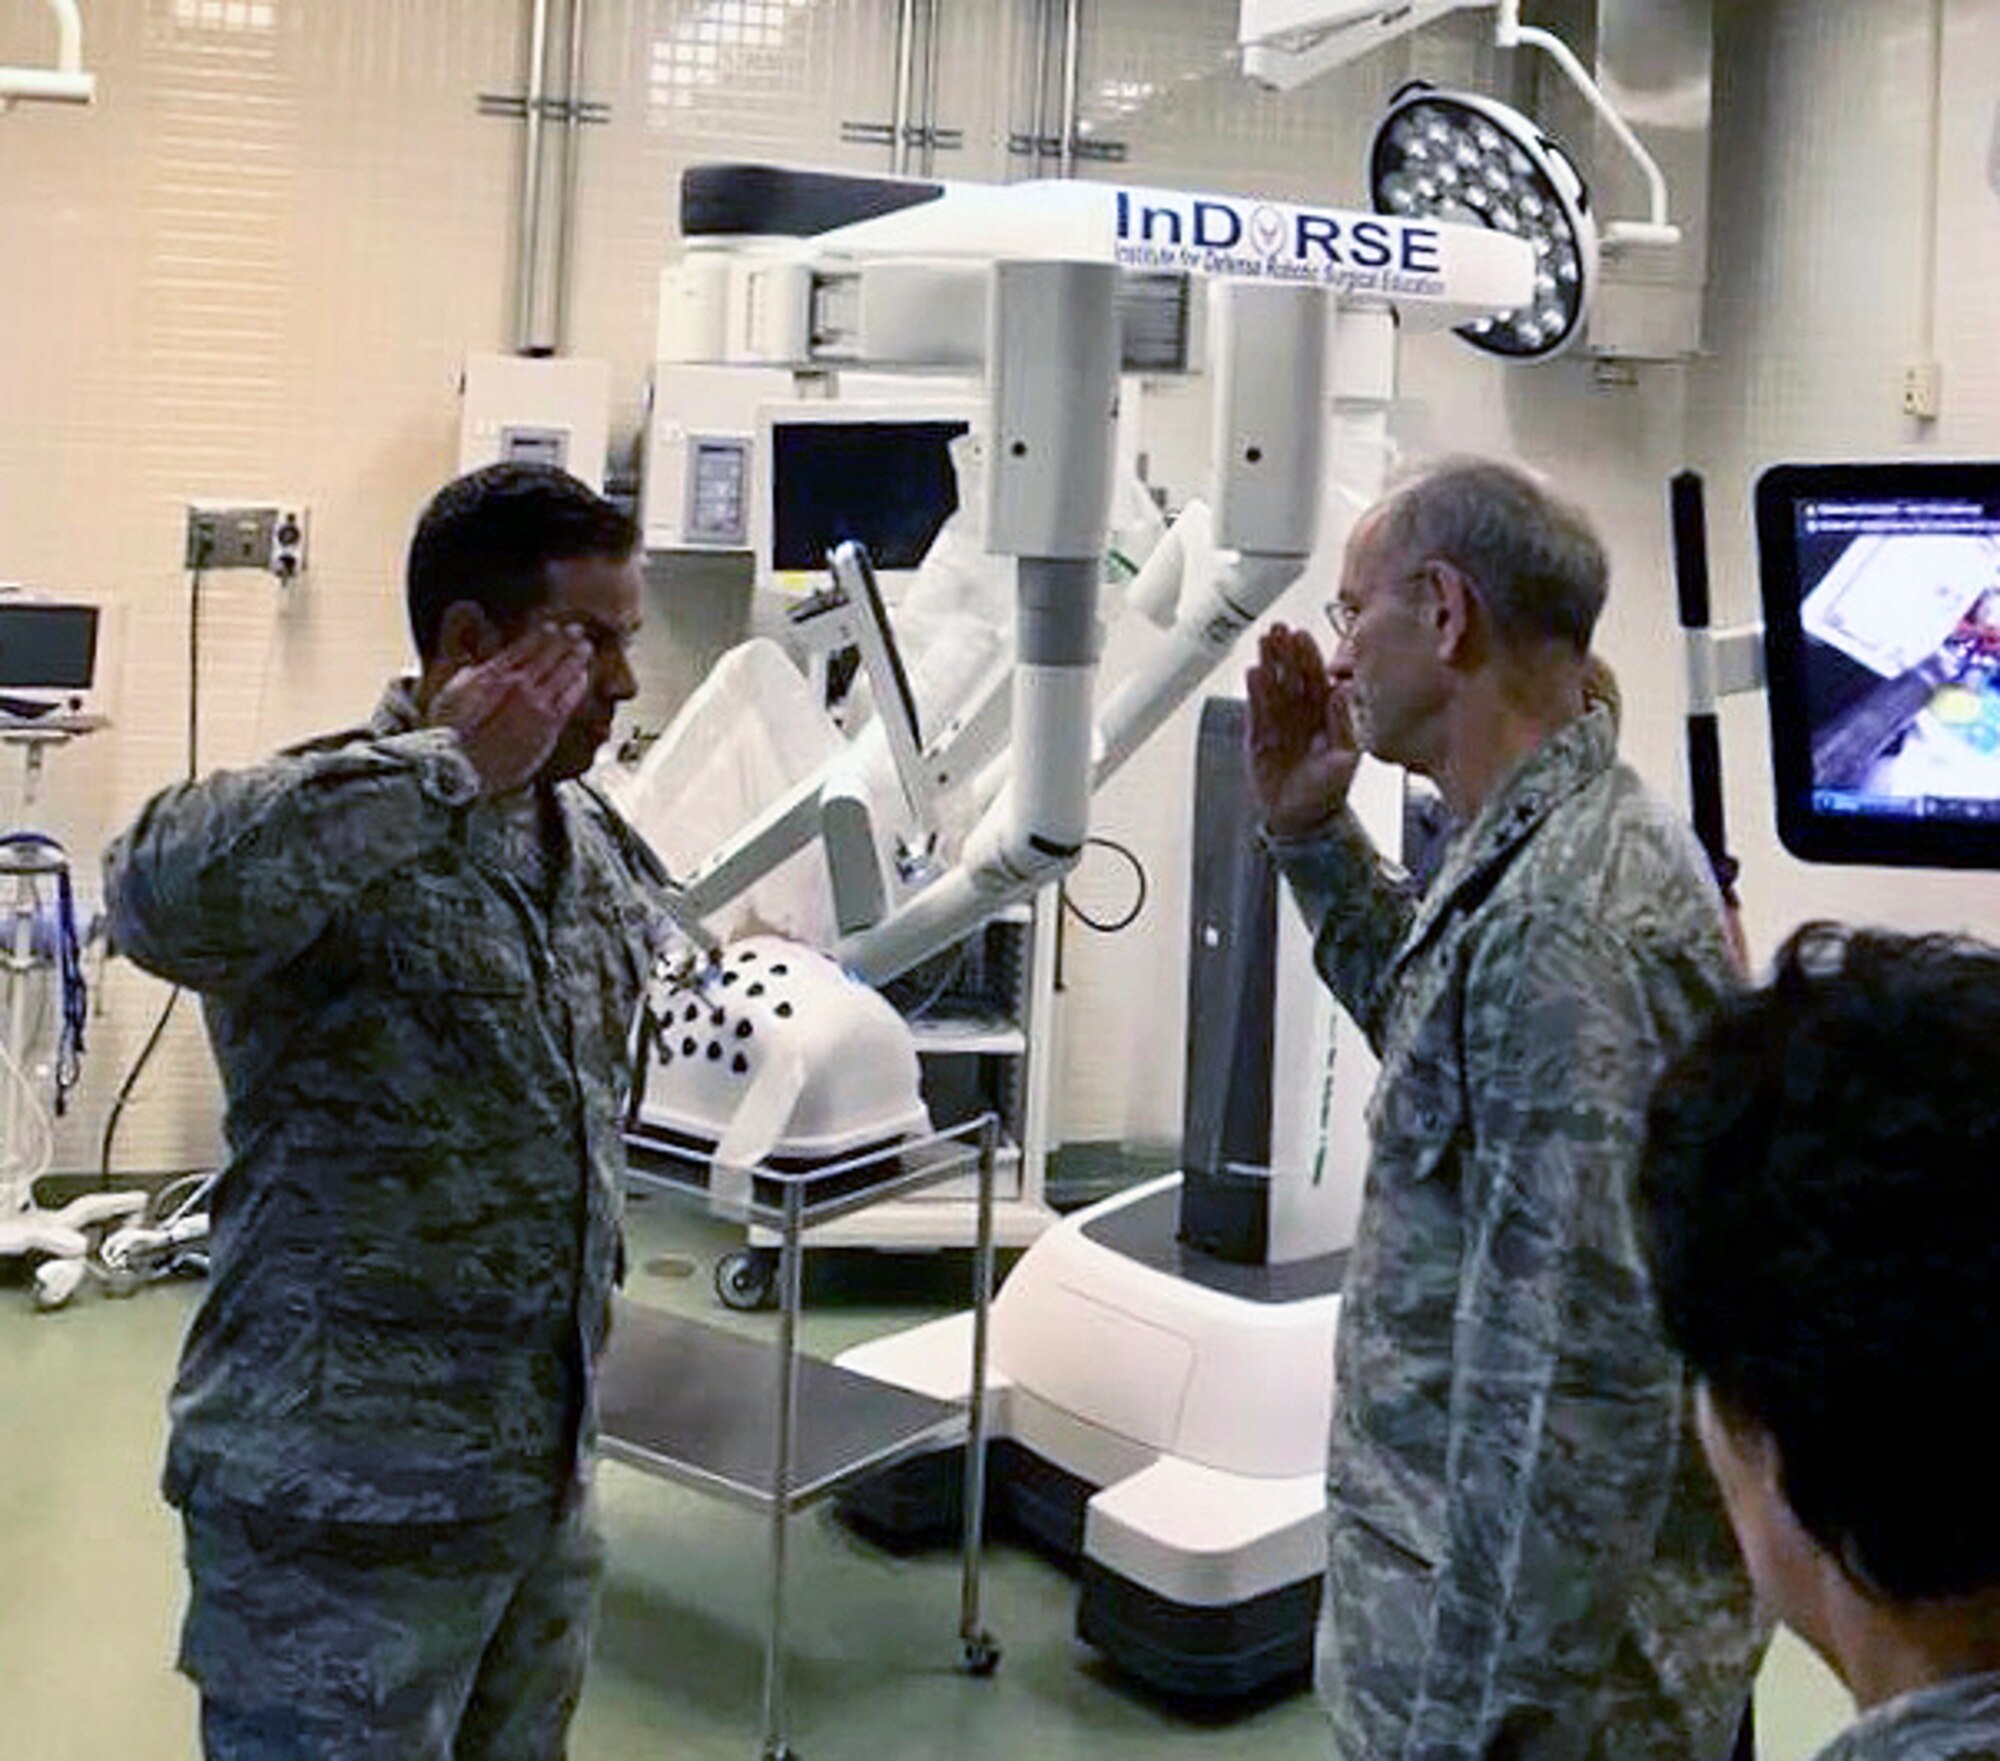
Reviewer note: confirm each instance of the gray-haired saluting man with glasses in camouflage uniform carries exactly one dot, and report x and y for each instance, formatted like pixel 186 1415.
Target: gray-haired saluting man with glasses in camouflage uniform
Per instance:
pixel 1525 1556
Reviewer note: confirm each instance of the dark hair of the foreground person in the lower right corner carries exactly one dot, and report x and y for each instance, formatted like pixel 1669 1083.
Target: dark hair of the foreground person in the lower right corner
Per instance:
pixel 1821 1192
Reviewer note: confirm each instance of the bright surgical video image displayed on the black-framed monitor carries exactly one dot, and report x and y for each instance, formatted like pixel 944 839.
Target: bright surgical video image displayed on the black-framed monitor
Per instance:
pixel 1903 657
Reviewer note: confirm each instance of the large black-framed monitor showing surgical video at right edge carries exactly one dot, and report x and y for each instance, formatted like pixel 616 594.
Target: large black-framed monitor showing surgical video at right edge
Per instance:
pixel 1883 643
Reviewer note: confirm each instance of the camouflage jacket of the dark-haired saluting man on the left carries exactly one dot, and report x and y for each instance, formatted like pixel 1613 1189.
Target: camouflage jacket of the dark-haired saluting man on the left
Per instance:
pixel 423 1040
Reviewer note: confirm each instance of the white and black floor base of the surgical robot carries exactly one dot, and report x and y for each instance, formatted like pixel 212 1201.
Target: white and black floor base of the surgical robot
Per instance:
pixel 1159 1426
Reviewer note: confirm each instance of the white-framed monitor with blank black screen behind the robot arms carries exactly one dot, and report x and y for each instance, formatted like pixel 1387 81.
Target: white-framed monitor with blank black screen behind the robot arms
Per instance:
pixel 869 471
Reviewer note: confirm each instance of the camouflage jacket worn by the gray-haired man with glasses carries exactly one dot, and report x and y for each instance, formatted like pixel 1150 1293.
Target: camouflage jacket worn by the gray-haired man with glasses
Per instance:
pixel 1525 1554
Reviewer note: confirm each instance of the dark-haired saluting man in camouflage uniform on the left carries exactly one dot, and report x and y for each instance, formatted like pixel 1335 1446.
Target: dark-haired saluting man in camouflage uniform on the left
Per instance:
pixel 419 946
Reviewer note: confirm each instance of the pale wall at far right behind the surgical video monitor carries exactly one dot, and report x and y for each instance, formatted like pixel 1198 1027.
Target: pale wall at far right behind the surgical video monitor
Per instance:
pixel 1819 223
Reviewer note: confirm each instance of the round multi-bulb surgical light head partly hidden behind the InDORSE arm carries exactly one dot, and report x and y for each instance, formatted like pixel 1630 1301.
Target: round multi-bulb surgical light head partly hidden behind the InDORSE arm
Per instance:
pixel 1477 163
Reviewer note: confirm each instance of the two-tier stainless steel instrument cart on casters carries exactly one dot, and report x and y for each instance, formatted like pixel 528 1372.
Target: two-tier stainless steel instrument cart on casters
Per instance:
pixel 775 1430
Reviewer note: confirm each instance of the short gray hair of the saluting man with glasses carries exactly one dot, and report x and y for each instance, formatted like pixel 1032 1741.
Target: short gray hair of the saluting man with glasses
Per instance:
pixel 1535 559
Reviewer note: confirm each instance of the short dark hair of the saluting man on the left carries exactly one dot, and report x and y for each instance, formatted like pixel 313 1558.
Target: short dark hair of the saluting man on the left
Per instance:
pixel 491 535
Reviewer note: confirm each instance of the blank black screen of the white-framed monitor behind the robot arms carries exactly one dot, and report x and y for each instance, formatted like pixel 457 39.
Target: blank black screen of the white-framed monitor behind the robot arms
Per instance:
pixel 885 485
